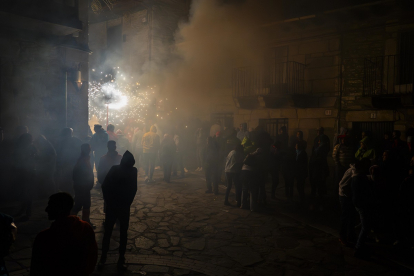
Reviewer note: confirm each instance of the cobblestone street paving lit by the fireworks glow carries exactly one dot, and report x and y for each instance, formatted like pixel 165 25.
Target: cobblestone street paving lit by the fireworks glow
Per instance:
pixel 176 229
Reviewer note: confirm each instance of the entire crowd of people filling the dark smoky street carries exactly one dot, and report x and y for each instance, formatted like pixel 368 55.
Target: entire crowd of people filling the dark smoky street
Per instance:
pixel 375 179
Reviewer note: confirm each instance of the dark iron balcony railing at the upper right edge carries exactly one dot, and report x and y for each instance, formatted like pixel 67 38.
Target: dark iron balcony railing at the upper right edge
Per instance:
pixel 388 75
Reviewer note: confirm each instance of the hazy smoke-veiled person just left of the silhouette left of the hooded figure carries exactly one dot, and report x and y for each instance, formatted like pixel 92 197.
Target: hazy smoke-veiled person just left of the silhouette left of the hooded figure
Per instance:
pixel 67 152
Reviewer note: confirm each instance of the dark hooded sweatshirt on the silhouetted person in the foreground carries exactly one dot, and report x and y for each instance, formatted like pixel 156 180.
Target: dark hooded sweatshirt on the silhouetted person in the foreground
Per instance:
pixel 120 184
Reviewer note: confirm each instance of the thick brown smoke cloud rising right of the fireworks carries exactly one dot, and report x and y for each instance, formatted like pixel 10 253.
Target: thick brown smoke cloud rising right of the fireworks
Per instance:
pixel 219 36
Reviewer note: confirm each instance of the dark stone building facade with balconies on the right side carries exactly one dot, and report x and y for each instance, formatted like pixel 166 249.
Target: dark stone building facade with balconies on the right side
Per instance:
pixel 344 66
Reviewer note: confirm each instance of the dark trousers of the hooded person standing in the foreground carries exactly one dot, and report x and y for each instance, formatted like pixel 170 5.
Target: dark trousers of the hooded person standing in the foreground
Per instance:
pixel 110 218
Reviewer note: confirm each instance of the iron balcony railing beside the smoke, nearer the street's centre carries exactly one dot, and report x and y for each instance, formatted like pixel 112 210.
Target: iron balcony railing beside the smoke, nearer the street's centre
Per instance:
pixel 273 79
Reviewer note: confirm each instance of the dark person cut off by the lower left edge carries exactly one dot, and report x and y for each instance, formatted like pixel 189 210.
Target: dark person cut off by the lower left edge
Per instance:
pixel 8 231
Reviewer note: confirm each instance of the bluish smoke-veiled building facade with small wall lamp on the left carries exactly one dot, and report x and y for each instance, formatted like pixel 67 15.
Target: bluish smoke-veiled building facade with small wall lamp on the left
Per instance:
pixel 44 66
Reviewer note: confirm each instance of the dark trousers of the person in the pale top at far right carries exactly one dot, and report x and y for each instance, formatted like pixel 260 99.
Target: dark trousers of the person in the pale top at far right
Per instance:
pixel 347 228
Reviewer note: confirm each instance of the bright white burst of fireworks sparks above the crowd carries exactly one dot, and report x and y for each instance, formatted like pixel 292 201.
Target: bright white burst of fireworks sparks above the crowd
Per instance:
pixel 126 102
